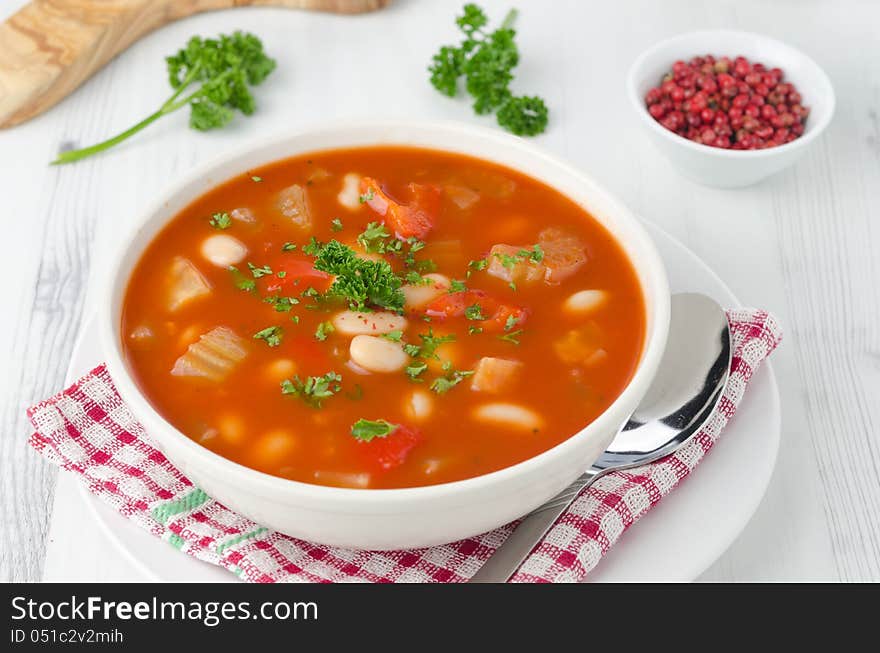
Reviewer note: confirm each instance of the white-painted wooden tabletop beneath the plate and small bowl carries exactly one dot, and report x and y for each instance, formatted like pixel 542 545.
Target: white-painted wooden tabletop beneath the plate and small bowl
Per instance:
pixel 803 244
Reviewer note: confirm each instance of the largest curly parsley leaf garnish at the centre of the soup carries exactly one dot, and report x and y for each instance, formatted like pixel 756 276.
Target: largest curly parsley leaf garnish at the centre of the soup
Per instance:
pixel 362 283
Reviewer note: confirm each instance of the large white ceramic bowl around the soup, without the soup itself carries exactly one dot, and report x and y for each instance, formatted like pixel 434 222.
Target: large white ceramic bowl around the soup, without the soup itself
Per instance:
pixel 409 517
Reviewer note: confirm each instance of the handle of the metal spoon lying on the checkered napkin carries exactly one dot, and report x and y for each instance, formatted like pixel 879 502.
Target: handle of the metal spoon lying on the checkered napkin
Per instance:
pixel 510 555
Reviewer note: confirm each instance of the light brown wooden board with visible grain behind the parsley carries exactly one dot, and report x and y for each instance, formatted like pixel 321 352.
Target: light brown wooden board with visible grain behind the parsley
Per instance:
pixel 50 47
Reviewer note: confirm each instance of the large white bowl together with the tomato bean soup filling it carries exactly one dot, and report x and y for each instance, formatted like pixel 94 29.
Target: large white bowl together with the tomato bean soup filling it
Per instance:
pixel 385 335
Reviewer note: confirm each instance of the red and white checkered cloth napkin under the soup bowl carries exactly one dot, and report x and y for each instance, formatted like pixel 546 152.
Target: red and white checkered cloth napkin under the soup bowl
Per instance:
pixel 88 430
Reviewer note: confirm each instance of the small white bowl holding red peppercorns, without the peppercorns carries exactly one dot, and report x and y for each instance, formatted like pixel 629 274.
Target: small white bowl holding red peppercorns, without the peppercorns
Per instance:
pixel 715 166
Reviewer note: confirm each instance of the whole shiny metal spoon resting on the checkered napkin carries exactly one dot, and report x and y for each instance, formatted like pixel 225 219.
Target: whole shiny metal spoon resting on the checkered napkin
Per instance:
pixel 679 401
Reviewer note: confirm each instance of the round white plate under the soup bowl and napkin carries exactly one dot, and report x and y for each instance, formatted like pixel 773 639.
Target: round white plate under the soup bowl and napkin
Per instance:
pixel 676 541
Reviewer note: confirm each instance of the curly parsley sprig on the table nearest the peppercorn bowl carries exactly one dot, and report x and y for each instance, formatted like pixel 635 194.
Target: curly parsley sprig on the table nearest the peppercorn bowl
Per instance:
pixel 486 60
